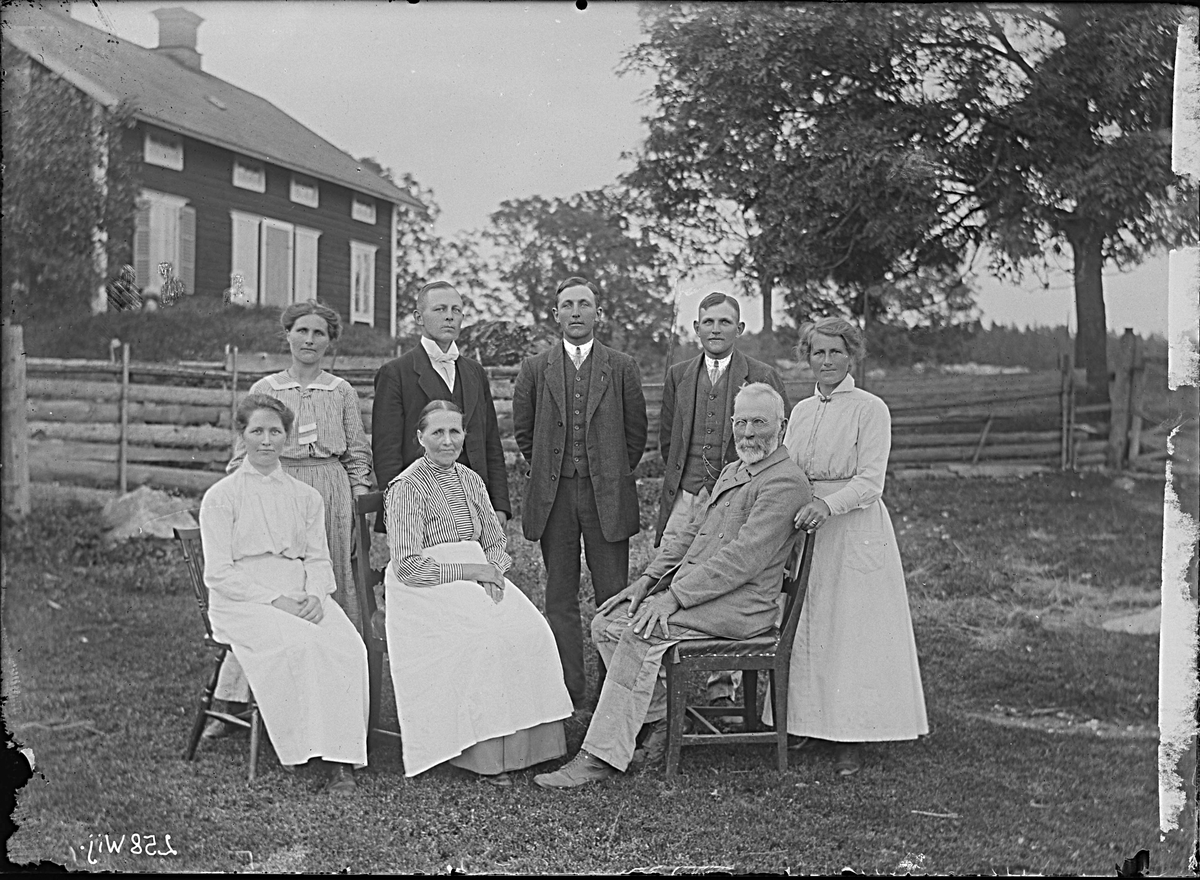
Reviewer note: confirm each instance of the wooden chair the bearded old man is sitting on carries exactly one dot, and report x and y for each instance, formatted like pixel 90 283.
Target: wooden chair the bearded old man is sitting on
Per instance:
pixel 771 652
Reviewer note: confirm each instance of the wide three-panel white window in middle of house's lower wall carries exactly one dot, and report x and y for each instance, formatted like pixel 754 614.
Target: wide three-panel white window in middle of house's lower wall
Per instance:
pixel 277 261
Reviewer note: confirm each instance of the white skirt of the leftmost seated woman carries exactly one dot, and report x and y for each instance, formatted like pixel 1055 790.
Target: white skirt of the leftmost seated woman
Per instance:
pixel 310 680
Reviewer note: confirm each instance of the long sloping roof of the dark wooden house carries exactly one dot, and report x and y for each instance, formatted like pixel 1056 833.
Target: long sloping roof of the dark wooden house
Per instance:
pixel 191 103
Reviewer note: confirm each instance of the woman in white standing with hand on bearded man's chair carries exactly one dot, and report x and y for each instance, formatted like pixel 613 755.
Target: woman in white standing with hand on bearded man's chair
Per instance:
pixel 855 677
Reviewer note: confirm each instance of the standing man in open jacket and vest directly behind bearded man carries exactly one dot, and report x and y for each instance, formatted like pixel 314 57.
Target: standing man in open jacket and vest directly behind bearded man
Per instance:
pixel 697 435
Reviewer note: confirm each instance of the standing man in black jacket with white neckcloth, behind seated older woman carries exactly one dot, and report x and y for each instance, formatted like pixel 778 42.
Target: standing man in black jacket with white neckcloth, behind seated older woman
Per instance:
pixel 435 370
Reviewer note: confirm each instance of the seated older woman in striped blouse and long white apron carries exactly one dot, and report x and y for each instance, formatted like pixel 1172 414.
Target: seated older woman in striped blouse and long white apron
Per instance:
pixel 475 663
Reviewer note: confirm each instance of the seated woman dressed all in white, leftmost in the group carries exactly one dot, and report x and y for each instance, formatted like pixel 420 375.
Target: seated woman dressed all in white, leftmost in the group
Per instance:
pixel 269 577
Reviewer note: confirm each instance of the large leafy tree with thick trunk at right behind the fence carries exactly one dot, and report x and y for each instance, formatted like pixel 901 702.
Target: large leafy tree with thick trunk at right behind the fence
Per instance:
pixel 867 143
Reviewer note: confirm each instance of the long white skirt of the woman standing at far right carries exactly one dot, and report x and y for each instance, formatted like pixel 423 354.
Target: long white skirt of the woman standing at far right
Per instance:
pixel 855 675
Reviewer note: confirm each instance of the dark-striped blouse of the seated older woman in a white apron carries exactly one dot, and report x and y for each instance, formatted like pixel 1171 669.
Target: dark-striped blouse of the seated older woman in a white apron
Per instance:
pixel 422 514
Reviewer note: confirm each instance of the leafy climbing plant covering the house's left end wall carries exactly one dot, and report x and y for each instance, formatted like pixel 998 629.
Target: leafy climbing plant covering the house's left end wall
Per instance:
pixel 70 191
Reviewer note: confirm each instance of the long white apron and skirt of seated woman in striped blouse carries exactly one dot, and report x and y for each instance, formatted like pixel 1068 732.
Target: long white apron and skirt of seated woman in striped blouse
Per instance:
pixel 469 671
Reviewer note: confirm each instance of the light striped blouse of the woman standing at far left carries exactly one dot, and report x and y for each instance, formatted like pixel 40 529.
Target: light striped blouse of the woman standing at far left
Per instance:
pixel 327 421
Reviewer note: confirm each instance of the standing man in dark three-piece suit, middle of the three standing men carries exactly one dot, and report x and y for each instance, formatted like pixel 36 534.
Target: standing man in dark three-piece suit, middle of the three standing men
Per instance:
pixel 580 421
